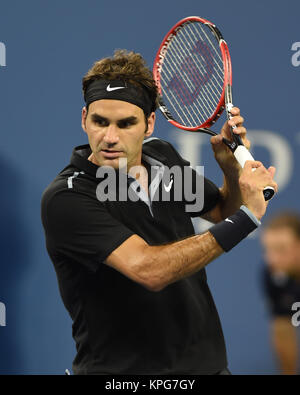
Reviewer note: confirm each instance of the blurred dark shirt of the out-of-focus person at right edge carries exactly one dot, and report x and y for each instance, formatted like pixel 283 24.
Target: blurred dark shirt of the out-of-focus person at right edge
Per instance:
pixel 281 290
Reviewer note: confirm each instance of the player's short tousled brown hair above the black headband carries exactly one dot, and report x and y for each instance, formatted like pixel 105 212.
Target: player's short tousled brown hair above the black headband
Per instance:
pixel 126 66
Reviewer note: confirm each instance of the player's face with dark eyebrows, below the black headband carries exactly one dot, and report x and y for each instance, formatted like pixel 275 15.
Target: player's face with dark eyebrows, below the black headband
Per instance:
pixel 116 129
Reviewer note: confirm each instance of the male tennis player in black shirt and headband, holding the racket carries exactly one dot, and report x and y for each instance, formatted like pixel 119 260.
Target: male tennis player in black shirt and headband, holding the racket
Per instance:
pixel 131 271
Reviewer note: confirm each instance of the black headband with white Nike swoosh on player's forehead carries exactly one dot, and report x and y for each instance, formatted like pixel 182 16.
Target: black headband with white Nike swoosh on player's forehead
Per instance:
pixel 119 90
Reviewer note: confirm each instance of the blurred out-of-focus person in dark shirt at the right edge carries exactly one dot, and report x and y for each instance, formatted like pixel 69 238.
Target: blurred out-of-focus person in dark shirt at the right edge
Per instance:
pixel 281 284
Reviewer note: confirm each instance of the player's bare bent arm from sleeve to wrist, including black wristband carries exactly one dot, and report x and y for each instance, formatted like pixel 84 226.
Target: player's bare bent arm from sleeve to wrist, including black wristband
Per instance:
pixel 155 267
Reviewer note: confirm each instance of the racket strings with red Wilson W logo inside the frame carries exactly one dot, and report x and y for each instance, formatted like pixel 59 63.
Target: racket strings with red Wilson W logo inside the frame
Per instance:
pixel 192 75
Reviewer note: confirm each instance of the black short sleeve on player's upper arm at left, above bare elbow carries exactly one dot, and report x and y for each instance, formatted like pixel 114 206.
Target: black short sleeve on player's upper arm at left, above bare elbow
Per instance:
pixel 81 228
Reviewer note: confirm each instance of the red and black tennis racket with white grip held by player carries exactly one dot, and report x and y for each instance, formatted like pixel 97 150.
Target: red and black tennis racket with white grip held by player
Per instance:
pixel 192 70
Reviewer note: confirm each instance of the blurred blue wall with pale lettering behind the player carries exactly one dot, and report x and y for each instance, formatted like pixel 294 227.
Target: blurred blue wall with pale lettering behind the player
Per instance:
pixel 49 46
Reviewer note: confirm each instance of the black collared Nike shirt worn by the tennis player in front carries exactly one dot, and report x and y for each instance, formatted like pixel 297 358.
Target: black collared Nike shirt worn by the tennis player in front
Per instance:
pixel 119 326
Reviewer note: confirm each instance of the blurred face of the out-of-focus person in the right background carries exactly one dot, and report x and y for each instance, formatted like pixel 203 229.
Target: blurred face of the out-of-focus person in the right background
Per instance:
pixel 282 250
